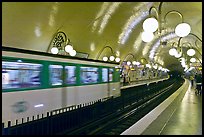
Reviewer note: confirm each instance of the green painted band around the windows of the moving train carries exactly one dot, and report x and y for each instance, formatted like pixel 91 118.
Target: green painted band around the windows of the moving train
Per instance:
pixel 45 76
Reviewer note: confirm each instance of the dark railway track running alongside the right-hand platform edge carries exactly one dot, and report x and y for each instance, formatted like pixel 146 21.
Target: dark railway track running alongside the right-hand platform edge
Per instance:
pixel 116 123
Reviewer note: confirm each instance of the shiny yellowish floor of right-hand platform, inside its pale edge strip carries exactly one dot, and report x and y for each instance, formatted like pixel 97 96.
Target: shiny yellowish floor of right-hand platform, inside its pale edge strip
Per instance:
pixel 186 119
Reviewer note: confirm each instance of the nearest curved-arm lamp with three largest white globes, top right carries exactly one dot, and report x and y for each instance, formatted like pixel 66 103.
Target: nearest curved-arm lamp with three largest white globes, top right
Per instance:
pixel 151 24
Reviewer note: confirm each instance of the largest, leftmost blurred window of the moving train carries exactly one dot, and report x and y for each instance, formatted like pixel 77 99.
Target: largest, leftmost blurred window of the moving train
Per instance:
pixel 20 75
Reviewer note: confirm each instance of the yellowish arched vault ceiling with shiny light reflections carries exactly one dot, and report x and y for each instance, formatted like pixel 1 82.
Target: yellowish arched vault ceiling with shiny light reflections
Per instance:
pixel 92 25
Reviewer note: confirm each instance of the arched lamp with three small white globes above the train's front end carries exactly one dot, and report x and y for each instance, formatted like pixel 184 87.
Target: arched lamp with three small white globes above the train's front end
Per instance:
pixel 111 58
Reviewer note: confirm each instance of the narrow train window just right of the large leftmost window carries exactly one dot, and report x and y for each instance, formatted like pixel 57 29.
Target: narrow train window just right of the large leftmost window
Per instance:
pixel 55 74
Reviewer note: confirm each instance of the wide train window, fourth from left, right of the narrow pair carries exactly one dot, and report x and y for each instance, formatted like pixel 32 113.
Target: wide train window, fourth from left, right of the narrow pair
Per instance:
pixel 89 75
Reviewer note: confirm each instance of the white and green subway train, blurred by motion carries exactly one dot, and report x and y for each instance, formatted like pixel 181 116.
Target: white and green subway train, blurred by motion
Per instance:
pixel 35 82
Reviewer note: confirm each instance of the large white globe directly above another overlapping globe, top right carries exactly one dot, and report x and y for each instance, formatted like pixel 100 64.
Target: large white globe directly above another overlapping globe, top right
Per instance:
pixel 150 25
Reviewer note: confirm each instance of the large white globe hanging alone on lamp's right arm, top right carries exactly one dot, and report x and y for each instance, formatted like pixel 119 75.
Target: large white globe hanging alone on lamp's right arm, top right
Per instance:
pixel 182 29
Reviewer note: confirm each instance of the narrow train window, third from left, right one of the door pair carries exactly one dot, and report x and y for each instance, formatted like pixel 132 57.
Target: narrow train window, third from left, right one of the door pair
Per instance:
pixel 70 74
